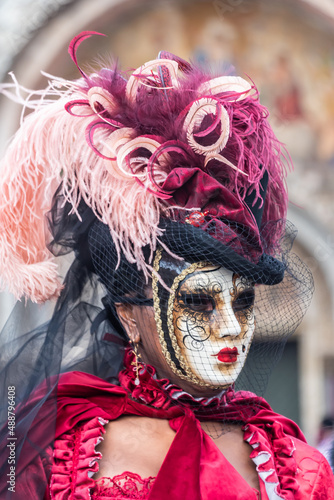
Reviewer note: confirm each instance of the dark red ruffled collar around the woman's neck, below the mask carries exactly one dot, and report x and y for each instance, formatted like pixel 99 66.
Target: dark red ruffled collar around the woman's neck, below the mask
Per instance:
pixel 161 393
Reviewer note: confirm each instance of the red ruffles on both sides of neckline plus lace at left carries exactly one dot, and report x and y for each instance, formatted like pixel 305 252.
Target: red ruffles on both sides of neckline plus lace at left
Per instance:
pixel 76 461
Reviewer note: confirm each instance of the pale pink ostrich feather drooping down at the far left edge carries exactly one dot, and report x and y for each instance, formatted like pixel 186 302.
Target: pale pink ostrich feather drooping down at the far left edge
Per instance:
pixel 26 188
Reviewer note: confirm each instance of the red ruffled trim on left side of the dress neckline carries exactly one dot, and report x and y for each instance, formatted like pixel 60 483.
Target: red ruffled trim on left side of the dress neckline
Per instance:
pixel 76 460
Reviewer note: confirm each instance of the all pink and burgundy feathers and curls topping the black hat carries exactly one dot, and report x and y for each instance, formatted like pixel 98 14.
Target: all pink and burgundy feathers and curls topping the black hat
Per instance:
pixel 129 149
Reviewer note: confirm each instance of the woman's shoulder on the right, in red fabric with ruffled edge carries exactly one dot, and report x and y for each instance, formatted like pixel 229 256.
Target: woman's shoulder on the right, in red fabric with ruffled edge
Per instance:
pixel 300 468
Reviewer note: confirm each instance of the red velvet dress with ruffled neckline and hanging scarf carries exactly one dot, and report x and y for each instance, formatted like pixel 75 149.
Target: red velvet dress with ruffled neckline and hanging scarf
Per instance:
pixel 194 468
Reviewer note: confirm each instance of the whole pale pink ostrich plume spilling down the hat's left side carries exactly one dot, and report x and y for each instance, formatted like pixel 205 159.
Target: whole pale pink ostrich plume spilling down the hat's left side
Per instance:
pixel 51 148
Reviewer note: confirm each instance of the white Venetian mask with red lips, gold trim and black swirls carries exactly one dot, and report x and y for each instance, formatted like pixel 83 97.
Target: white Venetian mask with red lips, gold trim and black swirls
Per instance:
pixel 210 322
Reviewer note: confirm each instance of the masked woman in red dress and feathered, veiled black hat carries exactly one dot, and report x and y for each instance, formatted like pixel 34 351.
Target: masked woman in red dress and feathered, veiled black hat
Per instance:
pixel 170 188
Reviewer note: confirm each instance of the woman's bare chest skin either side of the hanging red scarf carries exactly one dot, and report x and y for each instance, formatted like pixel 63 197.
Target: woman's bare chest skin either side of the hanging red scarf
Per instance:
pixel 139 445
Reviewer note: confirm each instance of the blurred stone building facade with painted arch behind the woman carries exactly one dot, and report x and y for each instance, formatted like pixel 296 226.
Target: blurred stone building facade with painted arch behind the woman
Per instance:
pixel 287 48
